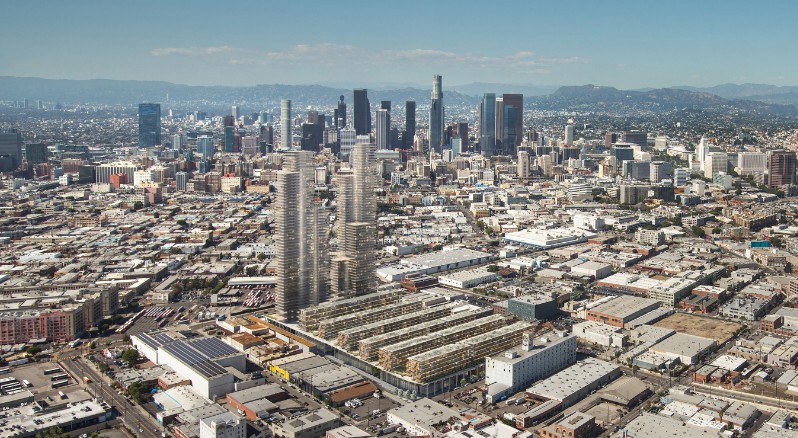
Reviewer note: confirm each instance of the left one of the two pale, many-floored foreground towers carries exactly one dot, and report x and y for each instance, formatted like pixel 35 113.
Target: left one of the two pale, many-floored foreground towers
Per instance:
pixel 300 238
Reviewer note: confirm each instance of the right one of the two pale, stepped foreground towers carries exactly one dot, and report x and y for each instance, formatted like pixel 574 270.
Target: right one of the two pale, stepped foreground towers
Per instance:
pixel 353 267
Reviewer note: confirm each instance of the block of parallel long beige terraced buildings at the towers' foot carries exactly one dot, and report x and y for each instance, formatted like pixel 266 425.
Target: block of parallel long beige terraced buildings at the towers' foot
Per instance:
pixel 419 343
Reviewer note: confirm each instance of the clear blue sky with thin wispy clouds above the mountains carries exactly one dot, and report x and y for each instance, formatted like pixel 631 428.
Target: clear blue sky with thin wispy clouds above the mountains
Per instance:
pixel 626 44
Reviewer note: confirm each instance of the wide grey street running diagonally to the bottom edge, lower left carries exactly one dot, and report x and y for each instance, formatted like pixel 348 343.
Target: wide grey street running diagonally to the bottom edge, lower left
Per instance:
pixel 134 417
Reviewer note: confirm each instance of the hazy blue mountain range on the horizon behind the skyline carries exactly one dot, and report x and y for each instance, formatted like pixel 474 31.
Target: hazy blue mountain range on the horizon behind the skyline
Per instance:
pixel 750 98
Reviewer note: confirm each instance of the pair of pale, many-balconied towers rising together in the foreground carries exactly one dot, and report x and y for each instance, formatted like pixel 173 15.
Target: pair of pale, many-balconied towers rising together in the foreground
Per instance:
pixel 307 272
